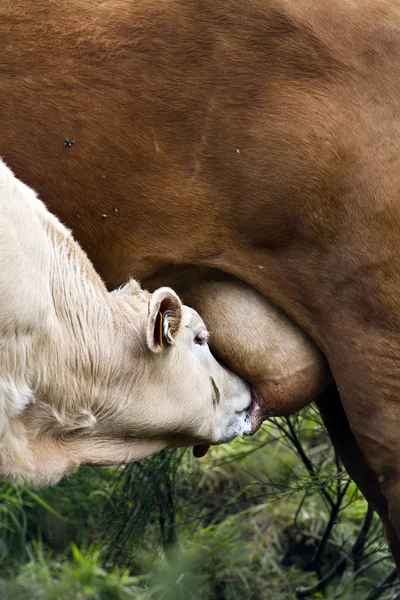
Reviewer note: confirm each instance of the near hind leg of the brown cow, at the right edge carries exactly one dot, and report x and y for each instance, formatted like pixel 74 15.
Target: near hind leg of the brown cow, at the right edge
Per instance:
pixel 367 373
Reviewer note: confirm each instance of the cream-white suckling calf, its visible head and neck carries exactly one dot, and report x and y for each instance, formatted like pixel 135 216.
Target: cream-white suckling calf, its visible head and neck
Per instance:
pixel 92 377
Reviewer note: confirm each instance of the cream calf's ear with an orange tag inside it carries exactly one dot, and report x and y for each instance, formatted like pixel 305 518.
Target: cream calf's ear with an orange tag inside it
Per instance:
pixel 163 319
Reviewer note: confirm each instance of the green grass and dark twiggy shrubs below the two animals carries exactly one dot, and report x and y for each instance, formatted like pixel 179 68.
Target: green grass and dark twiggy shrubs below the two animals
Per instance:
pixel 255 520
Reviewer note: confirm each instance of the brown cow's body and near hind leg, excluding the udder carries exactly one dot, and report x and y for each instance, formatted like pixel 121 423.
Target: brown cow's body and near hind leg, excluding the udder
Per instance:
pixel 257 138
